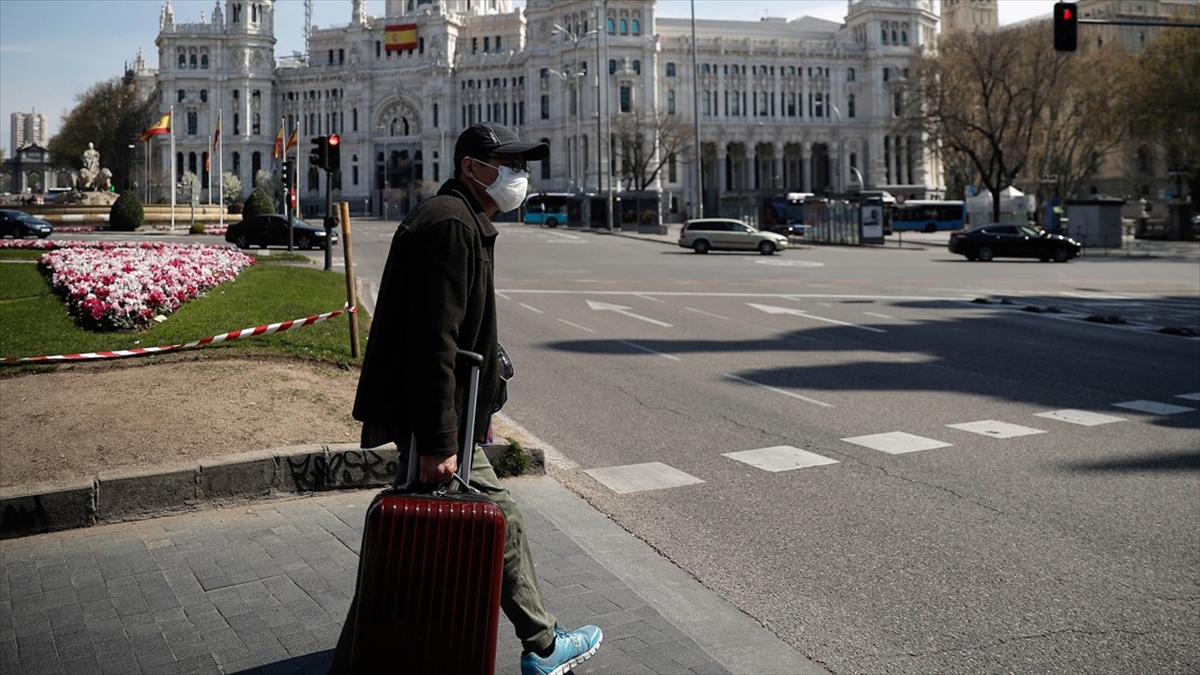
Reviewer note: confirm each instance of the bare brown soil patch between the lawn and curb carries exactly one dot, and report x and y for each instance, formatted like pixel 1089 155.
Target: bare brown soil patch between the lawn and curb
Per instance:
pixel 75 422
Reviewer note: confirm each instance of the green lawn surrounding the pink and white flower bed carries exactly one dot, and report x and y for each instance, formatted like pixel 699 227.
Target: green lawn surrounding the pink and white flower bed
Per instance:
pixel 35 322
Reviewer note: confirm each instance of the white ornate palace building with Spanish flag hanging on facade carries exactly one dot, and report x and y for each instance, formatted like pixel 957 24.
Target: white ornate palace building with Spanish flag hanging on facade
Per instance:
pixel 803 105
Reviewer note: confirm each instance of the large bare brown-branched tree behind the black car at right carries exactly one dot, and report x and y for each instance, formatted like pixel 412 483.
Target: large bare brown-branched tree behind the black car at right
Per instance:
pixel 980 99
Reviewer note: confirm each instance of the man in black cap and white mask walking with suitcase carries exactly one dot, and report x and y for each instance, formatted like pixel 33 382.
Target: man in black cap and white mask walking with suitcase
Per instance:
pixel 437 297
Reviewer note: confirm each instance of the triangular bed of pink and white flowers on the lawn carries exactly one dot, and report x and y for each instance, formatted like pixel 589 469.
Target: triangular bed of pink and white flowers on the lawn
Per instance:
pixel 111 286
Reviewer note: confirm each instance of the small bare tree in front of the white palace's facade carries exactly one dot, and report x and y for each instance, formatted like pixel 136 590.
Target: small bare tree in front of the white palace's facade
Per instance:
pixel 645 144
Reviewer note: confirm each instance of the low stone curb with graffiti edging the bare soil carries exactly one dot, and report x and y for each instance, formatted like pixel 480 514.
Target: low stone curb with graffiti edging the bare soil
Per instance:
pixel 117 497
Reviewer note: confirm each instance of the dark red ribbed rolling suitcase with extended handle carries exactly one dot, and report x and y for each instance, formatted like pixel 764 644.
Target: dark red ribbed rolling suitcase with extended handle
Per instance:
pixel 431 574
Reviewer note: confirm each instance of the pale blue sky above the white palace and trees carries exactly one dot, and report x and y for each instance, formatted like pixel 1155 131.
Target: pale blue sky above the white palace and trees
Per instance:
pixel 53 51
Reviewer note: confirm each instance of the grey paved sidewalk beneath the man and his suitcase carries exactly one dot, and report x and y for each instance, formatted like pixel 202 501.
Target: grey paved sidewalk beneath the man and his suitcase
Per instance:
pixel 265 587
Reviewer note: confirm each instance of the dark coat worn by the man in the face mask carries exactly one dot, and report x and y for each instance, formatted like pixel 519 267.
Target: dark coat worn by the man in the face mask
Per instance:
pixel 437 296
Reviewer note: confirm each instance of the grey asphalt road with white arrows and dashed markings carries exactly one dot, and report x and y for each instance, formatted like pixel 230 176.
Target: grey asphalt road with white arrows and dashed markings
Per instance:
pixel 871 453
